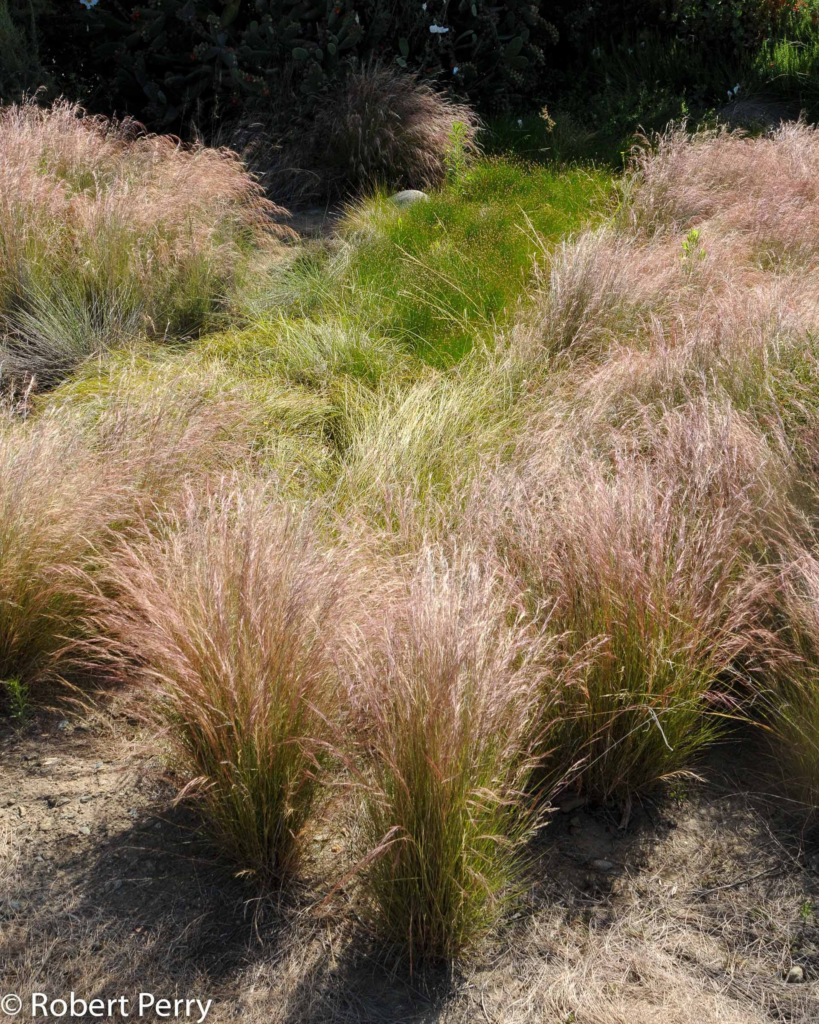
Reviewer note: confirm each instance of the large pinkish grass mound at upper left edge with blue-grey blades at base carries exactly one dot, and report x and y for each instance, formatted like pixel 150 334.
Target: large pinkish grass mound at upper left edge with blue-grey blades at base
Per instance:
pixel 108 233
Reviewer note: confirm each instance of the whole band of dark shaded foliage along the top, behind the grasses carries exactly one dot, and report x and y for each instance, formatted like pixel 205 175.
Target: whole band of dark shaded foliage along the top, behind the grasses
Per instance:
pixel 208 65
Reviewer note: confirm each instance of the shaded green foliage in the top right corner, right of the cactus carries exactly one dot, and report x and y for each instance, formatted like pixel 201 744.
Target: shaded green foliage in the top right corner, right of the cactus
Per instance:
pixel 640 65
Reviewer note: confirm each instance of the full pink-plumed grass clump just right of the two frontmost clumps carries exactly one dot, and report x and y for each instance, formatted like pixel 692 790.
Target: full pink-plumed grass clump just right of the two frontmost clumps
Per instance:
pixel 639 567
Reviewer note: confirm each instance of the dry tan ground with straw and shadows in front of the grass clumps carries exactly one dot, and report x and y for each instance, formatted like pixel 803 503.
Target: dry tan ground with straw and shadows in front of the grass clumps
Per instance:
pixel 697 912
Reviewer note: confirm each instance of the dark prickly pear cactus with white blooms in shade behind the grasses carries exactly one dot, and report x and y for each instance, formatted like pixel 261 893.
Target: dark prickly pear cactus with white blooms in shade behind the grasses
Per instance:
pixel 174 59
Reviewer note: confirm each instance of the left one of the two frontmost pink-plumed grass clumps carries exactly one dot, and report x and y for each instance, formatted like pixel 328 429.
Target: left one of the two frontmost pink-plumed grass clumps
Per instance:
pixel 227 617
